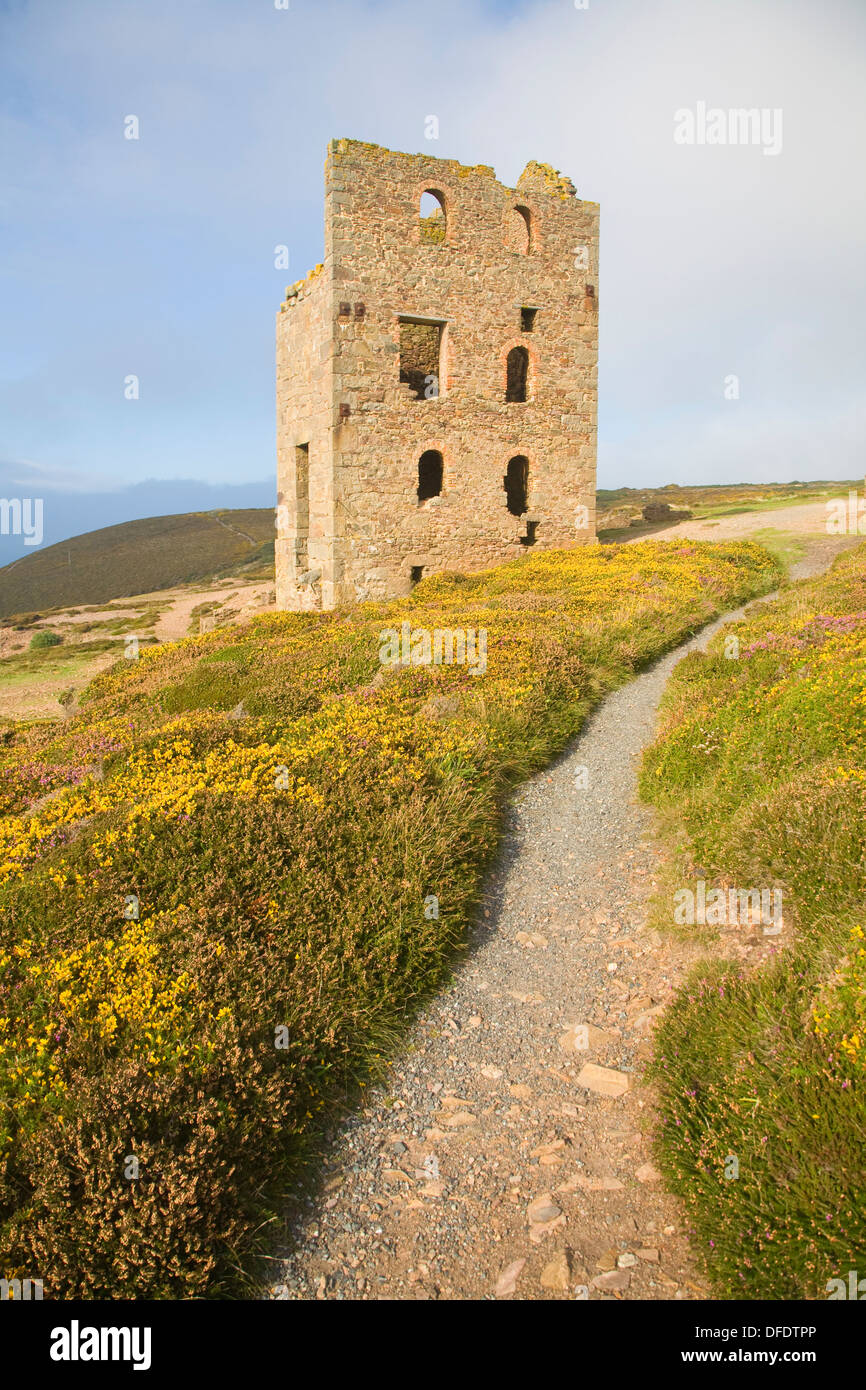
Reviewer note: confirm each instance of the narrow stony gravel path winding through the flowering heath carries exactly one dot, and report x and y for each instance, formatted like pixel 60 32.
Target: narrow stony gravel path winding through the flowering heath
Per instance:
pixel 494 1166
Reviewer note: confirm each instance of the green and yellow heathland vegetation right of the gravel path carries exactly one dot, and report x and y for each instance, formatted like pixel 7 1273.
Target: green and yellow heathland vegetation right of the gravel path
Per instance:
pixel 761 764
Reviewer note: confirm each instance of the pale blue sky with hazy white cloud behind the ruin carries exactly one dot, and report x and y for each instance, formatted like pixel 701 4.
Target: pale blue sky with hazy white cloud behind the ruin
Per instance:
pixel 156 256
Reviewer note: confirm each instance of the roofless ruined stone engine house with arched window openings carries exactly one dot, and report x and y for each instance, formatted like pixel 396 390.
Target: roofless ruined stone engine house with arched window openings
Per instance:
pixel 440 301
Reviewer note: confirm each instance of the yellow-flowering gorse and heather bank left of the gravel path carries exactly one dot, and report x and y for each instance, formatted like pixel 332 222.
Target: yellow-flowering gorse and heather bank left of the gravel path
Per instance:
pixel 213 888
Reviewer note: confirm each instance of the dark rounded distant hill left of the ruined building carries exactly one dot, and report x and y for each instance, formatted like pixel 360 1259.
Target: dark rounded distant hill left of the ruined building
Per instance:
pixel 138 558
